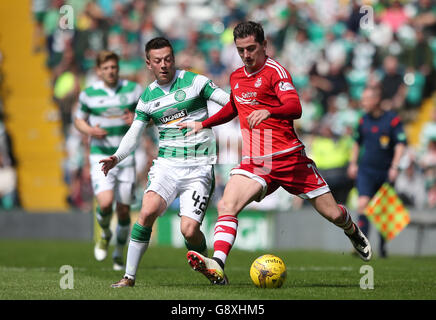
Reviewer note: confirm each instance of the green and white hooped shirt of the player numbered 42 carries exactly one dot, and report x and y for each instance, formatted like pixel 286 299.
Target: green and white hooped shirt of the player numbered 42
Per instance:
pixel 183 99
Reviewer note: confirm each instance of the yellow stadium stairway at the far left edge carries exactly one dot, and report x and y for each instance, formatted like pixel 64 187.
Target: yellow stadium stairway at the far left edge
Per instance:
pixel 31 116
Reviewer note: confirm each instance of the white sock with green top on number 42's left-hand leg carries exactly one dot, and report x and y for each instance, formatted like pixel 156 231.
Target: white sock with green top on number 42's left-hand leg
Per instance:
pixel 138 244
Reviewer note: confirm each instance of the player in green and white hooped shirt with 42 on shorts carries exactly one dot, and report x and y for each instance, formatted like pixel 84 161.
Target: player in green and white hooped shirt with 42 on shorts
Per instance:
pixel 184 166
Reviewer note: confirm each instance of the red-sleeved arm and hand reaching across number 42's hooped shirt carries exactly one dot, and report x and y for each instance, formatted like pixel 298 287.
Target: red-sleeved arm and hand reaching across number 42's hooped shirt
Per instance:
pixel 226 114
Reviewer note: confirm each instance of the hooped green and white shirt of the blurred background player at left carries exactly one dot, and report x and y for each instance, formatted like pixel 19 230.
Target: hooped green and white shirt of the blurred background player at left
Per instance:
pixel 104 106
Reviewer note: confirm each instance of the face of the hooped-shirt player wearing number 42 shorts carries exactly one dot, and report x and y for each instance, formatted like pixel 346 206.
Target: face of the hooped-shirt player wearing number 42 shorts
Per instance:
pixel 161 63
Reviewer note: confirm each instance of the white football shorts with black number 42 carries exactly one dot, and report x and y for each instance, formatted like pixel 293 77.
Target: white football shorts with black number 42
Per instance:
pixel 194 185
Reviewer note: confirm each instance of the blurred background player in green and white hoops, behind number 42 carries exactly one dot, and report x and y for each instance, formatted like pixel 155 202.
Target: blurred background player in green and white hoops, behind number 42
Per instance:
pixel 105 113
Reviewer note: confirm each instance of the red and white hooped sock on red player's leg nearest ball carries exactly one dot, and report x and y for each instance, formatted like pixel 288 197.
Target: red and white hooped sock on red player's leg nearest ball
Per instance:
pixel 224 236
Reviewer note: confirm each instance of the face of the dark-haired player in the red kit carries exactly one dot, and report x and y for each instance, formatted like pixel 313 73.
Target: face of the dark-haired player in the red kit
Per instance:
pixel 252 53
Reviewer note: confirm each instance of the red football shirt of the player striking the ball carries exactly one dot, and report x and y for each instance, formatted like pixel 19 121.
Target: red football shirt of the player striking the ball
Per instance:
pixel 268 87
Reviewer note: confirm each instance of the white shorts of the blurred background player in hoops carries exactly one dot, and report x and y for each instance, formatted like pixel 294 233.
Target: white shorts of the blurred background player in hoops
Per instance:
pixel 119 179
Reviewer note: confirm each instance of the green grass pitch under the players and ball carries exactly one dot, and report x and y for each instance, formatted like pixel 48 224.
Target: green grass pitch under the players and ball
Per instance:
pixel 31 270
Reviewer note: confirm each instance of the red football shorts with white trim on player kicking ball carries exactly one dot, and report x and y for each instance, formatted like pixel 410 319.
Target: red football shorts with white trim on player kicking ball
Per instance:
pixel 295 172
